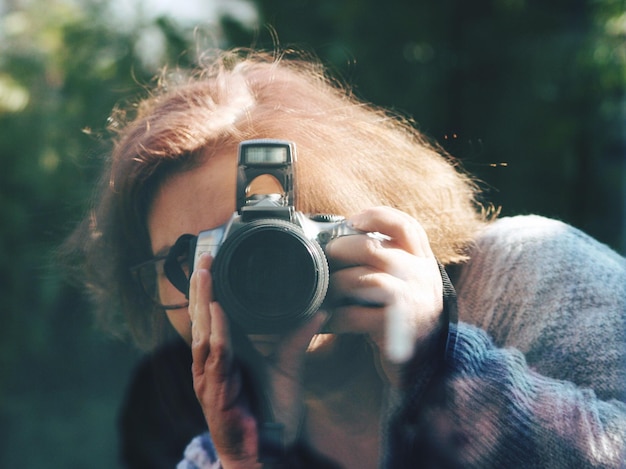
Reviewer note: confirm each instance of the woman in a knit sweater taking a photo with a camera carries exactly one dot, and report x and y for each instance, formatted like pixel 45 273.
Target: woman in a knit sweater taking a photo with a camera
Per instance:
pixel 540 382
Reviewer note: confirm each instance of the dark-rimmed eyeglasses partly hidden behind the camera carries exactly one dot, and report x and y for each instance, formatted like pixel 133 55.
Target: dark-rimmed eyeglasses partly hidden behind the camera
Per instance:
pixel 151 277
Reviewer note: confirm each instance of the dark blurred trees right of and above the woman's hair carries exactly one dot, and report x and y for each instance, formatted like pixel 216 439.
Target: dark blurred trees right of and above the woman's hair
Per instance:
pixel 538 86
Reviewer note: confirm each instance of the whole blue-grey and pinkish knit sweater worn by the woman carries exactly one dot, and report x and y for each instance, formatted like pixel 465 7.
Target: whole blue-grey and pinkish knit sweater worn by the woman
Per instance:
pixel 535 371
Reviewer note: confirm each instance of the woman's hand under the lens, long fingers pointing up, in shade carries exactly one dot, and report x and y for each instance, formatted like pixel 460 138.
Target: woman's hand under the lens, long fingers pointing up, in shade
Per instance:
pixel 218 376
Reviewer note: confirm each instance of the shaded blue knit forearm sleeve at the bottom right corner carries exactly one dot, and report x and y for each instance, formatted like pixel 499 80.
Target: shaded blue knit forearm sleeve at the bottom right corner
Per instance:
pixel 487 409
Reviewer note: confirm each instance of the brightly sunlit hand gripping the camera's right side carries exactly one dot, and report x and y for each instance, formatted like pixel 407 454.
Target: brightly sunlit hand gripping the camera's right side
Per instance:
pixel 390 289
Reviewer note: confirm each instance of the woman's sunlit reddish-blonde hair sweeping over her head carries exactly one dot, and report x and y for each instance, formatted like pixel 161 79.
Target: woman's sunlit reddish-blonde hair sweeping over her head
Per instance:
pixel 351 155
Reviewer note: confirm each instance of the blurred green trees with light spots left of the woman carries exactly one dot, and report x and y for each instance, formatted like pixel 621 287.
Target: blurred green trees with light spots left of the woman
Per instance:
pixel 61 74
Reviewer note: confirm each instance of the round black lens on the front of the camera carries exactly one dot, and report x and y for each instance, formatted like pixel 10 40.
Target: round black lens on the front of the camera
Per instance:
pixel 269 277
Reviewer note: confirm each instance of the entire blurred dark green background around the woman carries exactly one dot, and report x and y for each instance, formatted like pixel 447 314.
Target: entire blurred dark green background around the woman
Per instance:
pixel 528 94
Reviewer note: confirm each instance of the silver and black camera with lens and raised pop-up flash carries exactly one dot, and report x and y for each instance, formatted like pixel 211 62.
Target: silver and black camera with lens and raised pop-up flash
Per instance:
pixel 270 273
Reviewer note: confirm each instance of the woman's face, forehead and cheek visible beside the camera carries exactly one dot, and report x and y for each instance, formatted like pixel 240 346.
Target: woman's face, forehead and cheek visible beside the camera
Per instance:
pixel 190 202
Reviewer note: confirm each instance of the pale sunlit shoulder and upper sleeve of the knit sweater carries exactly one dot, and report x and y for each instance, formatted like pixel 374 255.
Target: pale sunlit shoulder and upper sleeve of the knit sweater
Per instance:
pixel 555 294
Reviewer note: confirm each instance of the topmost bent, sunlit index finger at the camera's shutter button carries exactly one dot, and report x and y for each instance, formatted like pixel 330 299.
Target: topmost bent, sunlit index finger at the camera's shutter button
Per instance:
pixel 403 229
